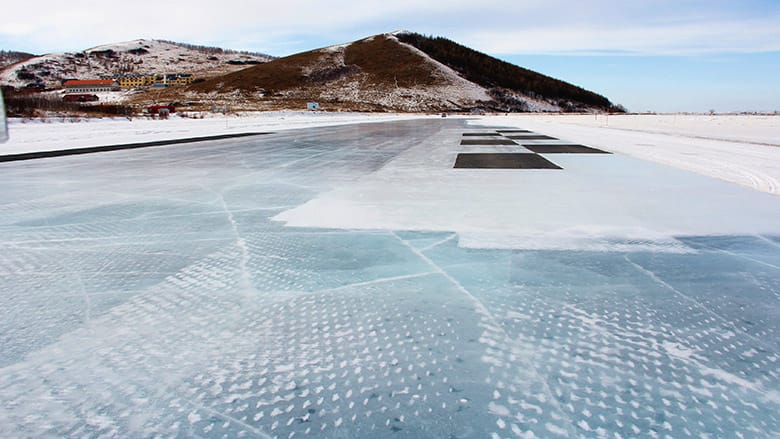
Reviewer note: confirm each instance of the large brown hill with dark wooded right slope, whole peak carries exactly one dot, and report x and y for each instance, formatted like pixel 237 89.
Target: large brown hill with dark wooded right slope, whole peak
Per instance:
pixel 395 72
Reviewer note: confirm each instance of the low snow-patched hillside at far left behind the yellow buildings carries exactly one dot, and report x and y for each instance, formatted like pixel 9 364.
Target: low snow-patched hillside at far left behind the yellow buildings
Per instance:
pixel 131 57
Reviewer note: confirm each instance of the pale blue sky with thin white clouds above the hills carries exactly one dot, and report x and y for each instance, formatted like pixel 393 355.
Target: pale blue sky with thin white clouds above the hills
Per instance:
pixel 648 55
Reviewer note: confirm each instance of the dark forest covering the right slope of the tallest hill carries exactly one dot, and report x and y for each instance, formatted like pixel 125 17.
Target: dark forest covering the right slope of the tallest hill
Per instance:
pixel 493 73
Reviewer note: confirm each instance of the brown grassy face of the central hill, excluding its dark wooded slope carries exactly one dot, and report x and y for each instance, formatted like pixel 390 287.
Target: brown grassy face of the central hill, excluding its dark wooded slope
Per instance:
pixel 374 74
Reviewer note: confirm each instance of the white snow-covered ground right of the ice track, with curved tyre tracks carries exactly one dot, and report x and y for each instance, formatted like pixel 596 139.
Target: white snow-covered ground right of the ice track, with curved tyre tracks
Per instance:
pixel 739 149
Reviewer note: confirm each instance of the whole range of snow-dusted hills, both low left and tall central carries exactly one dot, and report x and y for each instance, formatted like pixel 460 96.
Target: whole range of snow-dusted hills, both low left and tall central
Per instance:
pixel 399 71
